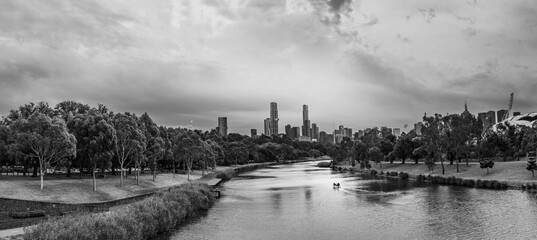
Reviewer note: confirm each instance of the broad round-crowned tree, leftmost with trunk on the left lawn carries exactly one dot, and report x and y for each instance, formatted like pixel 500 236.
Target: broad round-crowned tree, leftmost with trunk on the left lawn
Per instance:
pixel 45 139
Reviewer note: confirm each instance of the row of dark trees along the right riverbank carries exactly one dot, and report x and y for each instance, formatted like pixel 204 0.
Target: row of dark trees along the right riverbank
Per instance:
pixel 452 138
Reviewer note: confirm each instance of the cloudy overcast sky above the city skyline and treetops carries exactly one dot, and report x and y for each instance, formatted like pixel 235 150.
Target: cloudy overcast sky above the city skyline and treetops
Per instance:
pixel 355 63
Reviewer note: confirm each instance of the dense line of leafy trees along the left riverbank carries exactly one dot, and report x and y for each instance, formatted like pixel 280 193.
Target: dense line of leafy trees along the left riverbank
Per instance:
pixel 95 140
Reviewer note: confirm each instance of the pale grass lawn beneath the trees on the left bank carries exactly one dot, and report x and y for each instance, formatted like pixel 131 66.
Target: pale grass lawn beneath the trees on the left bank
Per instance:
pixel 58 188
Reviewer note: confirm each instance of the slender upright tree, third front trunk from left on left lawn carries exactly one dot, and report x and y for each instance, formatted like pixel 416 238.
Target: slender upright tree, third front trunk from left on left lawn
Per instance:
pixel 129 140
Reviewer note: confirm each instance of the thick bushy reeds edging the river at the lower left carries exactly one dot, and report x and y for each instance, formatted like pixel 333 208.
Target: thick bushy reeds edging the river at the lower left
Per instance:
pixel 145 219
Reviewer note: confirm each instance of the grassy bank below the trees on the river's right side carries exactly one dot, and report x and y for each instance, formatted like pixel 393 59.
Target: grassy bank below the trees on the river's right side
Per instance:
pixel 513 174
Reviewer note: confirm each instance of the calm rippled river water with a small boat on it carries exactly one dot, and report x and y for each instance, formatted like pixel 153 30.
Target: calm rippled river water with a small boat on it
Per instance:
pixel 298 202
